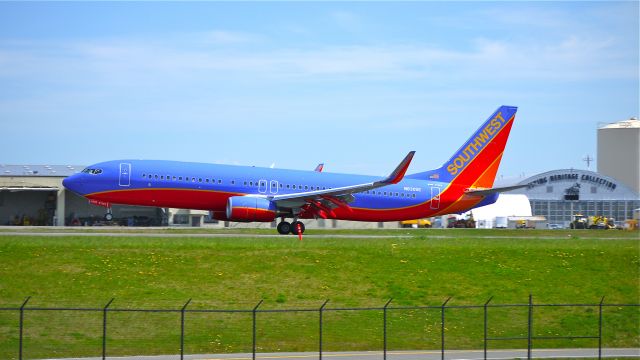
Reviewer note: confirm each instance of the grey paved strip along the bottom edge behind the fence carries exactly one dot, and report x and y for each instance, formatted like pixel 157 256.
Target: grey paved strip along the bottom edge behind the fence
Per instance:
pixel 404 355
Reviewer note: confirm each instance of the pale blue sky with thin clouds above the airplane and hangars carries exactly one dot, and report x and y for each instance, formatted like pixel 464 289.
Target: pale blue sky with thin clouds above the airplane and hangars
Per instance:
pixel 354 85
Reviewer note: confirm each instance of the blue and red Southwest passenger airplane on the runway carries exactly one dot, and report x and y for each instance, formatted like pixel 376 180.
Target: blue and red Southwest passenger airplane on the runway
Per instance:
pixel 256 194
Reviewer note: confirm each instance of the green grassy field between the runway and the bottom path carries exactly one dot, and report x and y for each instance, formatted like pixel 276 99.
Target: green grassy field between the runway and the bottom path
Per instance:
pixel 423 268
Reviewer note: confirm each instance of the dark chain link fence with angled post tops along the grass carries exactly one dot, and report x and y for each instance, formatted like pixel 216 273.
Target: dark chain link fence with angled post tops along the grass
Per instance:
pixel 28 332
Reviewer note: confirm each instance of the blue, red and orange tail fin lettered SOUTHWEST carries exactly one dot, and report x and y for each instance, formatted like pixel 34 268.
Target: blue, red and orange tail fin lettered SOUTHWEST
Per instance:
pixel 476 163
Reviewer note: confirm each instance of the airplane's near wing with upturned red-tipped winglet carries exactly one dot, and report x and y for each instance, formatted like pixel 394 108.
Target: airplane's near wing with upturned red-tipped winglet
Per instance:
pixel 341 196
